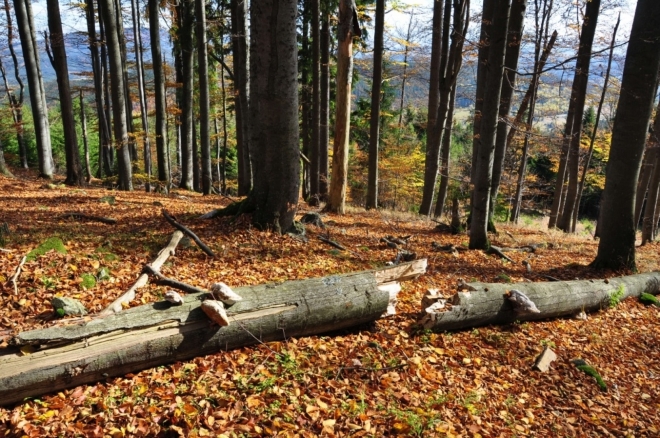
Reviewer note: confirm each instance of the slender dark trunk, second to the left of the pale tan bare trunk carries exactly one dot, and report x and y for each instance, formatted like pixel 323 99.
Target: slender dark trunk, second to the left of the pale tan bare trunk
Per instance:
pixel 315 121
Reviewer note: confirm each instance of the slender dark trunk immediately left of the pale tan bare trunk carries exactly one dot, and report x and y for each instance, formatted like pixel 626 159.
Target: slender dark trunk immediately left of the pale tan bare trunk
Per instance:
pixel 324 123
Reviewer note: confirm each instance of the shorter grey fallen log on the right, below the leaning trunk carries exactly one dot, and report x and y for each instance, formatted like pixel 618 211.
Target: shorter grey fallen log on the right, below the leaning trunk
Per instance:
pixel 485 303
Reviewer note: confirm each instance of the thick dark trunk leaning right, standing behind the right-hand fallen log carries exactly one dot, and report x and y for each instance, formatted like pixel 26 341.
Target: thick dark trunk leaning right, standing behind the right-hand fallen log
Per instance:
pixel 616 248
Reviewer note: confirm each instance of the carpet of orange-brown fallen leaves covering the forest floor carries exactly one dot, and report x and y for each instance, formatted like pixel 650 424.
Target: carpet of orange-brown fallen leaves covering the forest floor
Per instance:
pixel 385 379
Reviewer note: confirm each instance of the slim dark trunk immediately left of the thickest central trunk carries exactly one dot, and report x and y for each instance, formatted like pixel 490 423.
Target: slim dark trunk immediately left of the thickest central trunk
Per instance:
pixel 239 49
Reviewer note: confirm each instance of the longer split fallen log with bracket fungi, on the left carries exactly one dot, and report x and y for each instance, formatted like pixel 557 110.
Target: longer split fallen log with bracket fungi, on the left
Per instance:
pixel 160 333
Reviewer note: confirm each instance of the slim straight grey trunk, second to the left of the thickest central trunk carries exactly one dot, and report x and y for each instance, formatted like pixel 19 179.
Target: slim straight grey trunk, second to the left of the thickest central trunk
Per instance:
pixel 204 100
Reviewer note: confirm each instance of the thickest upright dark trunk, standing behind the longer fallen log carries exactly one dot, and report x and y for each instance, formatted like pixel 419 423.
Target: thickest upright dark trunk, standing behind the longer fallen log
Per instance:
pixel 274 113
